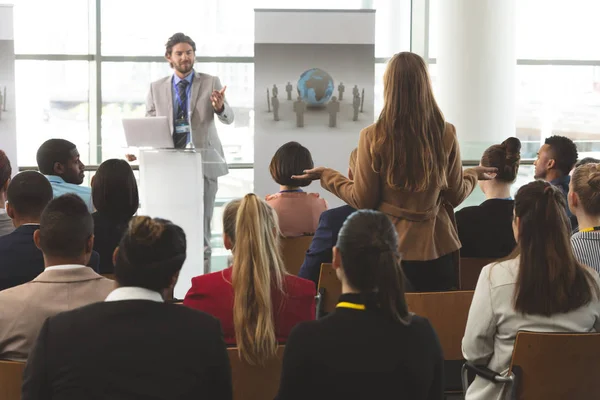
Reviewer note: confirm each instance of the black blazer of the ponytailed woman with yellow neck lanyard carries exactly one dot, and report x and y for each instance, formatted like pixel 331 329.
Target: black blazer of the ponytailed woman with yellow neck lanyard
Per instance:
pixel 353 354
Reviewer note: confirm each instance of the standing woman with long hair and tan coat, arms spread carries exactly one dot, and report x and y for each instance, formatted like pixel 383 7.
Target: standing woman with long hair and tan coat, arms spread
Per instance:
pixel 409 168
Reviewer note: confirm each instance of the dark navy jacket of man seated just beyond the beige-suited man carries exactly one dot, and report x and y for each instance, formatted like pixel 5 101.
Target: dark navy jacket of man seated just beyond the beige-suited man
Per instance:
pixel 21 261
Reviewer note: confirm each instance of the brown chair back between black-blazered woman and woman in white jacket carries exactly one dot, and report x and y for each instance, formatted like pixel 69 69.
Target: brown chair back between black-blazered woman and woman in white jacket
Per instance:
pixel 447 312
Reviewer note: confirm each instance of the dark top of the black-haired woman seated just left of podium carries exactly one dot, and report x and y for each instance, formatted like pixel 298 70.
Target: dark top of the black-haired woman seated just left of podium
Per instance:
pixel 108 232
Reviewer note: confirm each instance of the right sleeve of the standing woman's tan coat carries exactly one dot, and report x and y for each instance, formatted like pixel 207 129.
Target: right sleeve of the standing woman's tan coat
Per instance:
pixel 460 183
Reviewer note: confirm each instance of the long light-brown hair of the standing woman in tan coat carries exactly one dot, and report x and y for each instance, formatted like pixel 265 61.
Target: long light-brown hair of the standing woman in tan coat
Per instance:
pixel 410 128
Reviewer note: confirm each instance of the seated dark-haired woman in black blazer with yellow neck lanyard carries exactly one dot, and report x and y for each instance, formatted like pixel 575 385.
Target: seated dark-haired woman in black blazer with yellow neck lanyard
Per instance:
pixel 370 347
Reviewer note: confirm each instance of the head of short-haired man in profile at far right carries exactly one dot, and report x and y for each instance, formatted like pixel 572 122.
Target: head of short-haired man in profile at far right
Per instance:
pixel 556 158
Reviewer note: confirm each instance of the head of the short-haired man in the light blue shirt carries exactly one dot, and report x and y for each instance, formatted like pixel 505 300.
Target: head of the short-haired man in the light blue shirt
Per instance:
pixel 60 157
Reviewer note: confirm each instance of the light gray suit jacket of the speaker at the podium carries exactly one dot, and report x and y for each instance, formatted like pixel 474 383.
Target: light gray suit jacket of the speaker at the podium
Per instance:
pixel 204 132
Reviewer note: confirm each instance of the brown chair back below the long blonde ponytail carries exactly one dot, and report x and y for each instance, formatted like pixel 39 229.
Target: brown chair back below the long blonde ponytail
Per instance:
pixel 252 382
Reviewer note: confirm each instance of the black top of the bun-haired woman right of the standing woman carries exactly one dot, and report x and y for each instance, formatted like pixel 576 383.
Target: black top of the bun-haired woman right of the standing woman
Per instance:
pixel 485 231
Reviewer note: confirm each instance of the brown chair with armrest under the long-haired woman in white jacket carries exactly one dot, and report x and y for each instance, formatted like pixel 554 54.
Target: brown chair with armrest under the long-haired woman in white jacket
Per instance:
pixel 549 366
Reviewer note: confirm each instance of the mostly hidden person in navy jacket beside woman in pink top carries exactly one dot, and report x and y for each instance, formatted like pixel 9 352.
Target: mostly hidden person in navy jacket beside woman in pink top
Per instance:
pixel 330 223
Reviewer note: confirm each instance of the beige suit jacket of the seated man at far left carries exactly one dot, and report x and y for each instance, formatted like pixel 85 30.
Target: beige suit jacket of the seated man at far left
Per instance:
pixel 24 308
